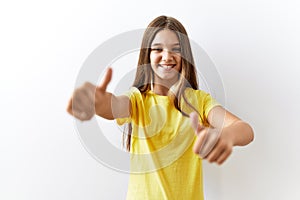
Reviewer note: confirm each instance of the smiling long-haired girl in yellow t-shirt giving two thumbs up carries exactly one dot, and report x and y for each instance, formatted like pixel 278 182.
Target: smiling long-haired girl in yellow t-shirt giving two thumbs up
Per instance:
pixel 172 125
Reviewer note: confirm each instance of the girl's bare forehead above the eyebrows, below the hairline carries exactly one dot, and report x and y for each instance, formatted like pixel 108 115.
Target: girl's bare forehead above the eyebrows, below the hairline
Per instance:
pixel 165 37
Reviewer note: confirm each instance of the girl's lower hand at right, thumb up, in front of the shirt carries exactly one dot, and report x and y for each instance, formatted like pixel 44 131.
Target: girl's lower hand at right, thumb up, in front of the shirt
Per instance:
pixel 211 144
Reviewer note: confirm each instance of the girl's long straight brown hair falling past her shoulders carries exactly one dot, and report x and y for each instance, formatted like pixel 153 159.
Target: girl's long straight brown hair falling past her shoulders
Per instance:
pixel 144 75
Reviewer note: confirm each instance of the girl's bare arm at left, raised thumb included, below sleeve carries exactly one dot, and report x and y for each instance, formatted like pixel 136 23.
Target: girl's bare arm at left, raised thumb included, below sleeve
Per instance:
pixel 89 100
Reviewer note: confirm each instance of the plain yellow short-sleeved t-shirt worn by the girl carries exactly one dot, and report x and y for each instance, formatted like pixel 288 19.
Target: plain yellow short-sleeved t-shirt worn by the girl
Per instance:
pixel 162 163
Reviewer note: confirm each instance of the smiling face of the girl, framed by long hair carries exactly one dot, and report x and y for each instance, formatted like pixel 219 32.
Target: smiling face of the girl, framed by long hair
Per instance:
pixel 165 57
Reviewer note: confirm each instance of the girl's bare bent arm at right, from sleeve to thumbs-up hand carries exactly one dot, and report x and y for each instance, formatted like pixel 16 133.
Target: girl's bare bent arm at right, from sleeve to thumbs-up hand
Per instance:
pixel 226 131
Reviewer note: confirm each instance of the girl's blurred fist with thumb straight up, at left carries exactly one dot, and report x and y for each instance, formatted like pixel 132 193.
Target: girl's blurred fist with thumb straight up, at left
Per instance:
pixel 88 97
